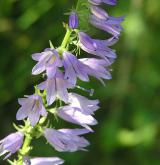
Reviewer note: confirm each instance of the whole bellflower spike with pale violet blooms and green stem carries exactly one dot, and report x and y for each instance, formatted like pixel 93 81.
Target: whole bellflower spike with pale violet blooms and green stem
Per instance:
pixel 60 68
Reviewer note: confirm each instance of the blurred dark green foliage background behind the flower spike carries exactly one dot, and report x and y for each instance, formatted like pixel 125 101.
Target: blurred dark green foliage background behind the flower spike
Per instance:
pixel 128 130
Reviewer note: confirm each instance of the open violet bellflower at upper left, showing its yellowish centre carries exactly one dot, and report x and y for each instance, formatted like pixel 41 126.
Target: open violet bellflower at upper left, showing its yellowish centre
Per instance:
pixel 48 60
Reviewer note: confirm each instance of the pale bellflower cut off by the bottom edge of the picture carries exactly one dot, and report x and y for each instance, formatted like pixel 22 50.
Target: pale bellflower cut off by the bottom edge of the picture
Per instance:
pixel 46 161
